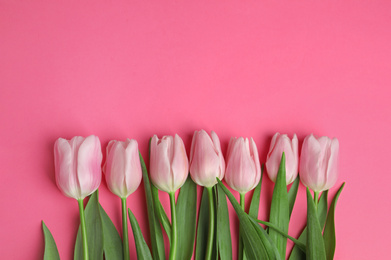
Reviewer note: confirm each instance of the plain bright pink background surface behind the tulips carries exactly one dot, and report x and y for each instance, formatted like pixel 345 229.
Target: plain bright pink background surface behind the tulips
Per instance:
pixel 121 69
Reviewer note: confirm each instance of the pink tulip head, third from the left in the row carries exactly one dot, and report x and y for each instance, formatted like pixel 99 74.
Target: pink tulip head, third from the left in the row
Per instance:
pixel 169 165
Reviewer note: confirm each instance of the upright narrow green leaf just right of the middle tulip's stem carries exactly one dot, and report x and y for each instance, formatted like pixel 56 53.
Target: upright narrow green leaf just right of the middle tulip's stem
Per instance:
pixel 223 233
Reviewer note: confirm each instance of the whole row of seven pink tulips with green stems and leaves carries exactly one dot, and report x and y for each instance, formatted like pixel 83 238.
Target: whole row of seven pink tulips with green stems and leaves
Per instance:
pixel 78 175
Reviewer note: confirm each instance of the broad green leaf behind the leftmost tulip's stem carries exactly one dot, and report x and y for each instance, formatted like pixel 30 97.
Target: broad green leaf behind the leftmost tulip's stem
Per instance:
pixel 94 231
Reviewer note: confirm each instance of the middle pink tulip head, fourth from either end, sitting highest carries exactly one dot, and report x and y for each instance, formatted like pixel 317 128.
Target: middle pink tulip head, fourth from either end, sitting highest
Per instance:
pixel 206 159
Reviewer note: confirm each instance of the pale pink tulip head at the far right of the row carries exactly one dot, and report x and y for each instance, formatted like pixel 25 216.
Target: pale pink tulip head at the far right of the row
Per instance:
pixel 318 163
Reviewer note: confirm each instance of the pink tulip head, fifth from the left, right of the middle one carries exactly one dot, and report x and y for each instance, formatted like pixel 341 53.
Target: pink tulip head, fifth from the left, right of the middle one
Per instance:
pixel 243 170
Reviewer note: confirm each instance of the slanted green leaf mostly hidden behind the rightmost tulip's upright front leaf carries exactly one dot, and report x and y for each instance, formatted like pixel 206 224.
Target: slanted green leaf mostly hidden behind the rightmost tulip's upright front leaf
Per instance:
pixel 298 254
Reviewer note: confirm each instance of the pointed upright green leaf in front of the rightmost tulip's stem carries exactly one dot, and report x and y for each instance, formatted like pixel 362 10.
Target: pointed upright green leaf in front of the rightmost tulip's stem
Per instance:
pixel 315 249
